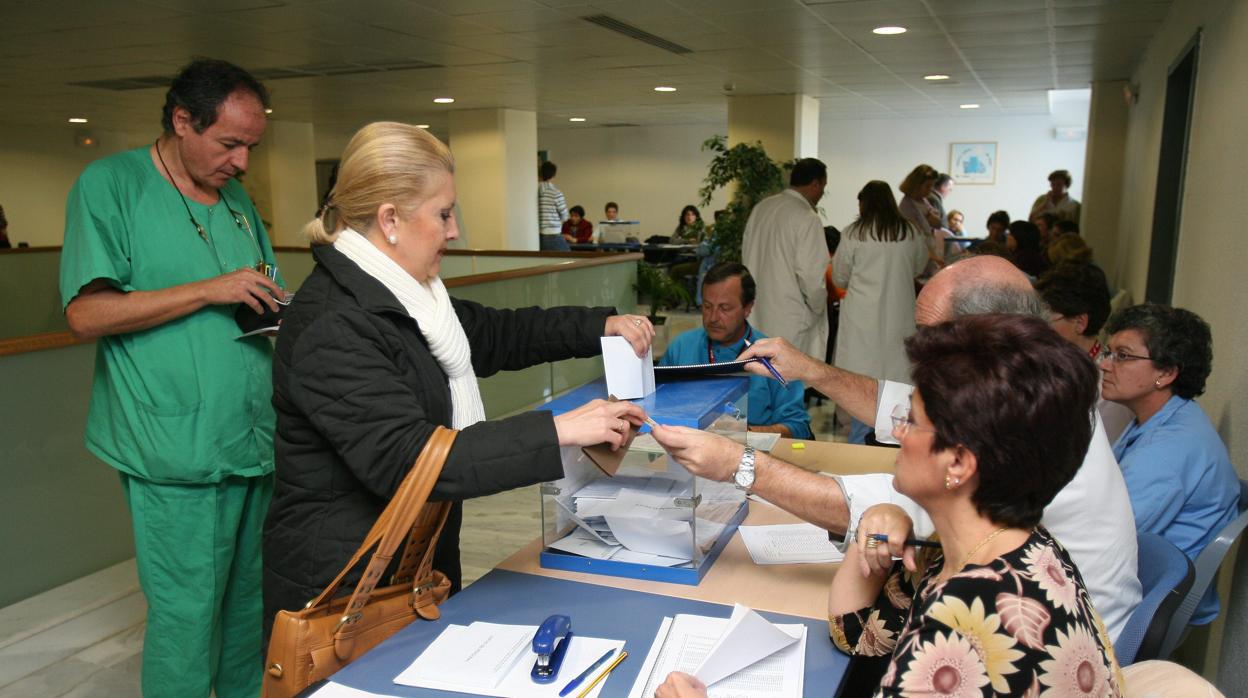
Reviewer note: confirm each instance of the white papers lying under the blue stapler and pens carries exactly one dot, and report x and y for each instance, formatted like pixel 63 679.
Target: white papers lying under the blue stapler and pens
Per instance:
pixel 495 660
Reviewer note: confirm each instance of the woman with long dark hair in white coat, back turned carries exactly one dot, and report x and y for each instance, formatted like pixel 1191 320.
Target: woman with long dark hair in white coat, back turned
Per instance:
pixel 877 264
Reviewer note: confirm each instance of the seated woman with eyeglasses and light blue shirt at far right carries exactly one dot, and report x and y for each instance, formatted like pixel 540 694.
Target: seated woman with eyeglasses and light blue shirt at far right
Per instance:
pixel 1179 474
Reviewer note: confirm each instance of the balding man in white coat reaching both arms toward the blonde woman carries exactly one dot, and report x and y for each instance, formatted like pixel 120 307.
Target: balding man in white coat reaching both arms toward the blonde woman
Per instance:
pixel 1091 516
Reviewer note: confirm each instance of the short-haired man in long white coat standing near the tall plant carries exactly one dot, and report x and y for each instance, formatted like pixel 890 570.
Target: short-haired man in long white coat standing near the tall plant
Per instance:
pixel 784 247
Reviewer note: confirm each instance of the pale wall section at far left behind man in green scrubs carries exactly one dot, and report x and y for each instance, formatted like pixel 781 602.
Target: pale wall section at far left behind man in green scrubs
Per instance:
pixel 38 168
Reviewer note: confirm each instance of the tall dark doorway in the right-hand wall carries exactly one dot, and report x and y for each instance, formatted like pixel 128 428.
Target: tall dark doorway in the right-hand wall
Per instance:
pixel 1171 174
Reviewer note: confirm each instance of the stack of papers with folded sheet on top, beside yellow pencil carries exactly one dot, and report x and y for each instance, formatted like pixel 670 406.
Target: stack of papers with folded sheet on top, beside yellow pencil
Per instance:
pixel 739 656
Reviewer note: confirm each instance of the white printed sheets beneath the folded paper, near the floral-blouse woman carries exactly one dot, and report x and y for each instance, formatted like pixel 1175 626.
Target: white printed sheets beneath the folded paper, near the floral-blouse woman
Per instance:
pixel 683 644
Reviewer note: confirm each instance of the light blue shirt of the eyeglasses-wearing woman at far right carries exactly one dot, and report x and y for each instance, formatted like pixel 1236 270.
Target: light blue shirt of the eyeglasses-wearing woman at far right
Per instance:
pixel 1181 481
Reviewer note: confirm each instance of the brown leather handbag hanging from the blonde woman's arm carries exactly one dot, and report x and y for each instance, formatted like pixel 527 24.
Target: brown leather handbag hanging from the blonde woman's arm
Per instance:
pixel 329 634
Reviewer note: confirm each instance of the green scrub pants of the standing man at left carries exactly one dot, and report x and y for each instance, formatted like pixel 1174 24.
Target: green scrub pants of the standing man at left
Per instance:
pixel 199 553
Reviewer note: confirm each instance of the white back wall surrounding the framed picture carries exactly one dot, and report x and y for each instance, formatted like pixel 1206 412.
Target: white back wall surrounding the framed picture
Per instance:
pixel 887 149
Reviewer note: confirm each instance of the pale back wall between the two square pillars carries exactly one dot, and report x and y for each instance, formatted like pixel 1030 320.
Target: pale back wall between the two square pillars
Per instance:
pixel 651 172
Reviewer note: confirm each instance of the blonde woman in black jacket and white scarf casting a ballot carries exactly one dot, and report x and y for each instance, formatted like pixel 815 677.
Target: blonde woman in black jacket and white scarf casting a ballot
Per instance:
pixel 374 355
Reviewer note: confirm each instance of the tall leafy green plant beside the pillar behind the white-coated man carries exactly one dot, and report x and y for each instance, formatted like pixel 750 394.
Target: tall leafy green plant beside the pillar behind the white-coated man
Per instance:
pixel 756 178
